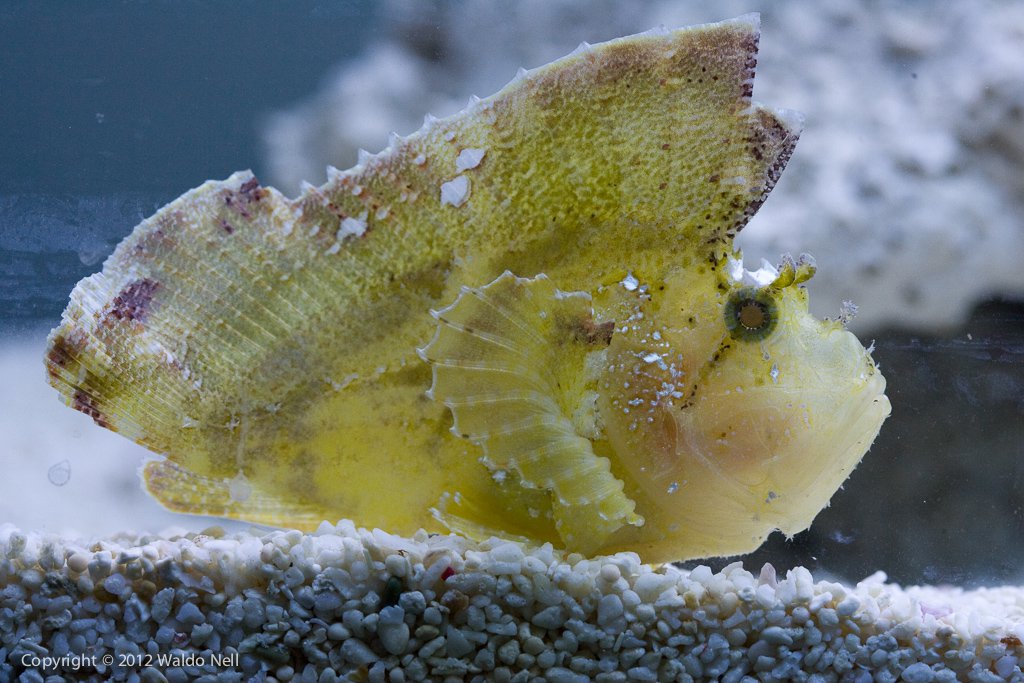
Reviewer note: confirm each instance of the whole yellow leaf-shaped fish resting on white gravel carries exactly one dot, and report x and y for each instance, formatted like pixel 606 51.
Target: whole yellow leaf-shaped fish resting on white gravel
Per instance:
pixel 527 320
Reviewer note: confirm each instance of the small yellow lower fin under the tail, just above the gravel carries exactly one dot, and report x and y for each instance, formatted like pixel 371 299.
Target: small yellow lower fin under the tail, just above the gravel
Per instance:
pixel 183 491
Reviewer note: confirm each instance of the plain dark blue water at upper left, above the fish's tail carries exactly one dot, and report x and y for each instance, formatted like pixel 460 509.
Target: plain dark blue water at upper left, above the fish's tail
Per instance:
pixel 110 110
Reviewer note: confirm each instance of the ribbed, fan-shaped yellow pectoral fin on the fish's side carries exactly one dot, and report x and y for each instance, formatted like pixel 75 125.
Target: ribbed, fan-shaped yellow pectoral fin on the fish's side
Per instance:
pixel 509 360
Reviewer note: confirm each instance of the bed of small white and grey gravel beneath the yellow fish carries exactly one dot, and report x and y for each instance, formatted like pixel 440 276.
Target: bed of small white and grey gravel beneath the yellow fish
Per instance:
pixel 350 605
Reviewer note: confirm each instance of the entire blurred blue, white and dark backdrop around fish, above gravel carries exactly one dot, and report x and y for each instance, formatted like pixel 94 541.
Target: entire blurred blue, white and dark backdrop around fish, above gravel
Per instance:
pixel 908 187
